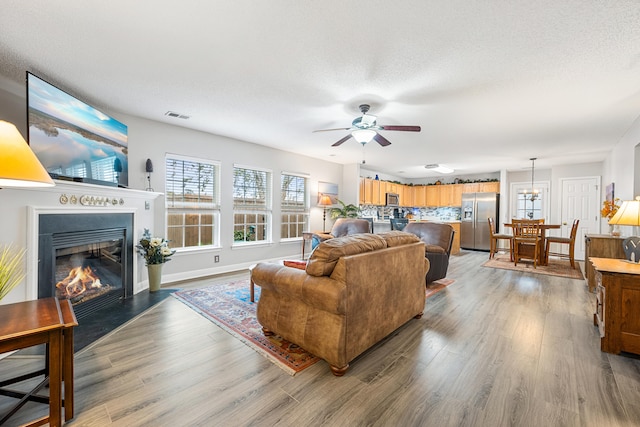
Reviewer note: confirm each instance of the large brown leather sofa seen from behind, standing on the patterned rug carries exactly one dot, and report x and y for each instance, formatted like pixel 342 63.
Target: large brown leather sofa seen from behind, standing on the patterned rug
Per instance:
pixel 355 291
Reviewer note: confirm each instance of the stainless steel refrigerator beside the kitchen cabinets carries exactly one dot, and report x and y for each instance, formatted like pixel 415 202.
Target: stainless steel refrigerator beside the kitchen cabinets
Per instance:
pixel 474 227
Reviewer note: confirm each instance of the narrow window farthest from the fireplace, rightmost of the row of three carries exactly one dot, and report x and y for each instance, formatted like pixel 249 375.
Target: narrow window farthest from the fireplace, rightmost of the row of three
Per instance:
pixel 295 206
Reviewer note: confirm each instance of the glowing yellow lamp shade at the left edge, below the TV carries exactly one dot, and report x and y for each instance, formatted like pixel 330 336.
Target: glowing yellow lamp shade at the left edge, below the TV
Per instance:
pixel 19 167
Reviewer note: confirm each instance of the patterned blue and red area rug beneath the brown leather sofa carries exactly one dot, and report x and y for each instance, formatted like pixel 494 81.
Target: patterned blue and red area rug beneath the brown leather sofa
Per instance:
pixel 228 306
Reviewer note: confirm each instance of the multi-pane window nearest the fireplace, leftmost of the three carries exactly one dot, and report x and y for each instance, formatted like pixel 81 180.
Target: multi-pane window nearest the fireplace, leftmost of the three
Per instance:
pixel 192 202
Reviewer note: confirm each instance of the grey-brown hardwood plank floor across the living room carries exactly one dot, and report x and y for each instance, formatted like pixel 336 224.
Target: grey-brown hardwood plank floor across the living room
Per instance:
pixel 496 348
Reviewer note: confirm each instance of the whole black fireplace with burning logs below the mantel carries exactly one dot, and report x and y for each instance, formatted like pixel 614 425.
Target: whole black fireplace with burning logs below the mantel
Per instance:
pixel 86 258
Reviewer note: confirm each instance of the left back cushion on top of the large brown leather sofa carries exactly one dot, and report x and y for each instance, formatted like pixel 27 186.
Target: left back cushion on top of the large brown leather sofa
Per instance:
pixel 324 258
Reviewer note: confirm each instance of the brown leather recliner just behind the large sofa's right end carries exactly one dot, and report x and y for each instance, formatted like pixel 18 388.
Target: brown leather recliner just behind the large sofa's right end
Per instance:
pixel 438 239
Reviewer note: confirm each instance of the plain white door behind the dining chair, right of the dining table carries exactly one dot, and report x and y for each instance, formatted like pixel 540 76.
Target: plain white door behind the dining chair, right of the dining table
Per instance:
pixel 580 199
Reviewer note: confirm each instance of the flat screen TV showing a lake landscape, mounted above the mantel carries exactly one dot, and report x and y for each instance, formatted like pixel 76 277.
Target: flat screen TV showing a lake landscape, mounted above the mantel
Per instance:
pixel 73 140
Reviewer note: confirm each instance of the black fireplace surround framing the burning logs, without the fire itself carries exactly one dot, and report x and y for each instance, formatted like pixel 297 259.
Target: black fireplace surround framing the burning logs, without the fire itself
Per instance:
pixel 60 233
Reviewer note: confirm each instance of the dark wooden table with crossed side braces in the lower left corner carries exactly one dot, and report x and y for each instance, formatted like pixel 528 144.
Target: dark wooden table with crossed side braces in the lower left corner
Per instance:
pixel 44 321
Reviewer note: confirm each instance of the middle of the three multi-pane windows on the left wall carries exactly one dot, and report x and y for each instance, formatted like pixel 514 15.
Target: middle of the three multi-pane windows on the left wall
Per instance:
pixel 251 205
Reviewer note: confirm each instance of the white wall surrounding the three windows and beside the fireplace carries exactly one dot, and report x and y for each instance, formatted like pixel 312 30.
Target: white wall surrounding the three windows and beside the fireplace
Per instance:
pixel 149 139
